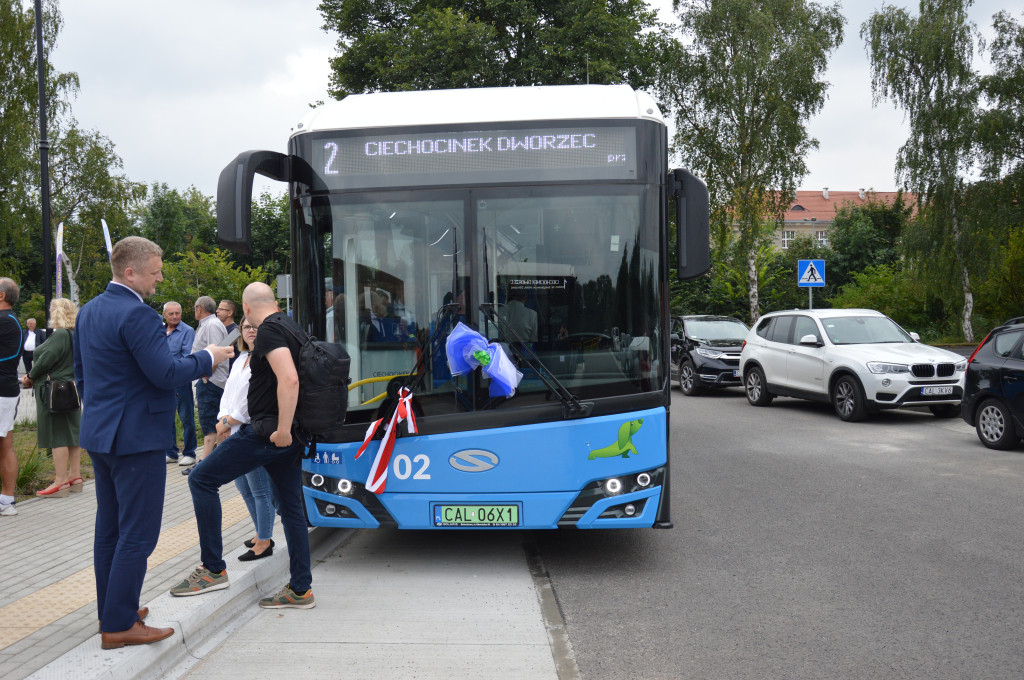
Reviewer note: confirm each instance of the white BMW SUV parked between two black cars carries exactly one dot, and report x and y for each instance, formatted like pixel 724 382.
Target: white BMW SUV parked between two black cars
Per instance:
pixel 859 360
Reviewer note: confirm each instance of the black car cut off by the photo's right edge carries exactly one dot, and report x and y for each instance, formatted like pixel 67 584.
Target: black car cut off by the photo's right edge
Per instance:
pixel 994 391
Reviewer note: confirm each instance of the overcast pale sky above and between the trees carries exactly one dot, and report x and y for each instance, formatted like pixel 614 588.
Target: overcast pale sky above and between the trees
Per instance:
pixel 183 88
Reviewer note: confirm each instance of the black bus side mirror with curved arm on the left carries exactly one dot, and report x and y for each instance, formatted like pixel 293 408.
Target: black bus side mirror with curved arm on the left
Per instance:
pixel 235 195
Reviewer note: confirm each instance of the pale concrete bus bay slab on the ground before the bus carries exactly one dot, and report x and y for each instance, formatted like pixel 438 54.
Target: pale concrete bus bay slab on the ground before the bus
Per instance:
pixel 433 606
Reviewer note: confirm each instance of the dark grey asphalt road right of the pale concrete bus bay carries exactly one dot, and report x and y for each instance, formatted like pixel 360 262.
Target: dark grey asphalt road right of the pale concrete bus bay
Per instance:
pixel 805 547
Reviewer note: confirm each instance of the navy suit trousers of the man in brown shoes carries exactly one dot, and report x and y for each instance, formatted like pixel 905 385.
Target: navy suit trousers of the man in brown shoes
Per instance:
pixel 130 505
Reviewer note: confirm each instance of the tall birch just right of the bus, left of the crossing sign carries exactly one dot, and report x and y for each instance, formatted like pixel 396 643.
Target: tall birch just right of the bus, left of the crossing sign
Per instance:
pixel 743 83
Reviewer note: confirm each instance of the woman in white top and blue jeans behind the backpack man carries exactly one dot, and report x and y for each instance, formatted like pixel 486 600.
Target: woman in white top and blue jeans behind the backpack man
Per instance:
pixel 255 487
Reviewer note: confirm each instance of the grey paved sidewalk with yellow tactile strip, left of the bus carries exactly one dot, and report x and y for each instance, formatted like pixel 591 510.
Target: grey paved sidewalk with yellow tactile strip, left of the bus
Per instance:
pixel 48 597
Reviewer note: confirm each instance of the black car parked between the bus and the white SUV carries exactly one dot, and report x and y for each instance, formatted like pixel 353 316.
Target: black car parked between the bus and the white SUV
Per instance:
pixel 706 352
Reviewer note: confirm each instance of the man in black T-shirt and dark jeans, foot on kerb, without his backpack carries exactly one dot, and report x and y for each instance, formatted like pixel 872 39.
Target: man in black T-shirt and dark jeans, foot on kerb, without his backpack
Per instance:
pixel 268 442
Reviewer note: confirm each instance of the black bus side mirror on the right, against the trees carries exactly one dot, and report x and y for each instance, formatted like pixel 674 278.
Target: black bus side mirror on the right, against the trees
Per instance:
pixel 693 225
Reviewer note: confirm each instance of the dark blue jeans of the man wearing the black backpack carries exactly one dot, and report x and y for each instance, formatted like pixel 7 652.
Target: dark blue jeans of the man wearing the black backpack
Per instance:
pixel 239 454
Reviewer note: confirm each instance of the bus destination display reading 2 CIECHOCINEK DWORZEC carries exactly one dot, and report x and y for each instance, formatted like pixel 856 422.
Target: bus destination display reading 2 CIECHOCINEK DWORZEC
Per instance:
pixel 491 156
